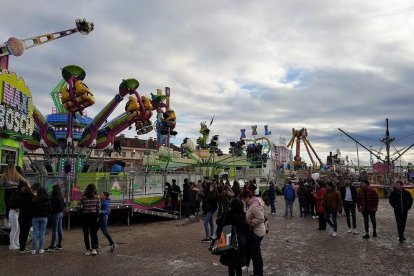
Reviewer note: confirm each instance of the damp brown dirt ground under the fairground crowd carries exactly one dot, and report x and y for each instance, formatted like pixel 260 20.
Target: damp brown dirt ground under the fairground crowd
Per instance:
pixel 292 247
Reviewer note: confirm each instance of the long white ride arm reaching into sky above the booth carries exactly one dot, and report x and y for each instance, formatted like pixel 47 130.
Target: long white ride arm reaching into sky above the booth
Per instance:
pixel 14 46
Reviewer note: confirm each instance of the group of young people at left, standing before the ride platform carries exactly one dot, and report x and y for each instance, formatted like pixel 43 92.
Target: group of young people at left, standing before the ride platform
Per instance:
pixel 32 207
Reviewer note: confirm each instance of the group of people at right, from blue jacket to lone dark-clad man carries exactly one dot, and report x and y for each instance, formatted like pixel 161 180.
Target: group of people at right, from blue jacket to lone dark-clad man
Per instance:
pixel 326 200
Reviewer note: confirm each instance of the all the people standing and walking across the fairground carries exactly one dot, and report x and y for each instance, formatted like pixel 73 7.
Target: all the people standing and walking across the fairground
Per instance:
pixel 219 203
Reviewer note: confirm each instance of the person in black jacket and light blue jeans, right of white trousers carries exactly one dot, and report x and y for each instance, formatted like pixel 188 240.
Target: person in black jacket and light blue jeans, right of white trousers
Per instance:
pixel 41 211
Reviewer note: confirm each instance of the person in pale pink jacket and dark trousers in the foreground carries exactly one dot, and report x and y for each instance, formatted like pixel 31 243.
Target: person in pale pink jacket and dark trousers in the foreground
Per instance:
pixel 255 218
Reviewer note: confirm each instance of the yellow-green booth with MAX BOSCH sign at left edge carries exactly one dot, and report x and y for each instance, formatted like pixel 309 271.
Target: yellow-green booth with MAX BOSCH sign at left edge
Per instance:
pixel 16 122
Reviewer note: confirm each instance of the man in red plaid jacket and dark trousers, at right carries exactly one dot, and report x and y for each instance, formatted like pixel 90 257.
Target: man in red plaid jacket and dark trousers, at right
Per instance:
pixel 367 203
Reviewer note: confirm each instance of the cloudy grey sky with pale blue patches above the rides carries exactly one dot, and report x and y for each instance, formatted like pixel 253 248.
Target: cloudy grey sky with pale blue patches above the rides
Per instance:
pixel 321 65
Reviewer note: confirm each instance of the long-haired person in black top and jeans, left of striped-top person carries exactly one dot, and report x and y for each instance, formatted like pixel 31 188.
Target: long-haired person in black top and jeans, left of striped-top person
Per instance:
pixel 57 206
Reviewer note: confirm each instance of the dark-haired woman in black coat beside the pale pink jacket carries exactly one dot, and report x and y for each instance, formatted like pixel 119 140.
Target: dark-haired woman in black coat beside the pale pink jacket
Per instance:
pixel 236 216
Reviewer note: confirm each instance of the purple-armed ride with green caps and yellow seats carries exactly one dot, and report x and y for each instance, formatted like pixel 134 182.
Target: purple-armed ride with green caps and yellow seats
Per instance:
pixel 58 133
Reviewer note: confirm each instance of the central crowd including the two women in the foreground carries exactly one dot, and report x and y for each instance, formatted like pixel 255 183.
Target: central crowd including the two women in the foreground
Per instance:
pixel 223 204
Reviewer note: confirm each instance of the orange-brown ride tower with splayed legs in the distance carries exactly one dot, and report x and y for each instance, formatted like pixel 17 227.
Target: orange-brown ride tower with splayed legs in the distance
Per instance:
pixel 298 136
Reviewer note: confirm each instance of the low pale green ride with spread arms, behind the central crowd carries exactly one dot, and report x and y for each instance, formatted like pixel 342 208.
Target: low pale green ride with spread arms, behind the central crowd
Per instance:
pixel 207 158
